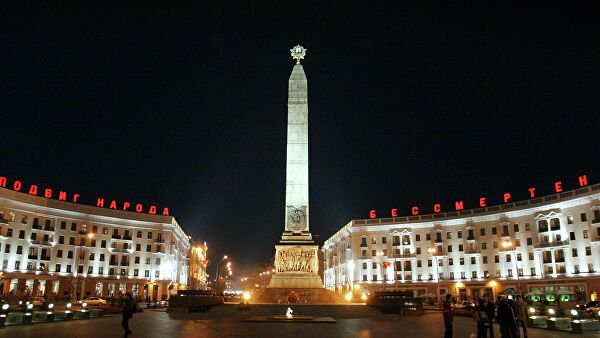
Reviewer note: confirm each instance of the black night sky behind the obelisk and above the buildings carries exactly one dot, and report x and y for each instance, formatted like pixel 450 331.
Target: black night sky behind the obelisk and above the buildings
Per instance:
pixel 185 107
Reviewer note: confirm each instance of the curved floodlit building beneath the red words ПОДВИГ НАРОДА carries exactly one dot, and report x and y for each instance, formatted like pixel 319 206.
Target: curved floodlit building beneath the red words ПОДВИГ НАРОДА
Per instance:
pixel 59 249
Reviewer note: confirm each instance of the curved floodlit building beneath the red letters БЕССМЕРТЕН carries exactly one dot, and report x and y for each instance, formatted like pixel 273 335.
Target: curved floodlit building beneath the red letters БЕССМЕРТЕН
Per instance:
pixel 546 243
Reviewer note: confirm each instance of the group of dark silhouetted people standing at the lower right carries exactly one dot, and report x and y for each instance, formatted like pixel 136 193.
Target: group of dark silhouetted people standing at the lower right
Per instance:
pixel 511 315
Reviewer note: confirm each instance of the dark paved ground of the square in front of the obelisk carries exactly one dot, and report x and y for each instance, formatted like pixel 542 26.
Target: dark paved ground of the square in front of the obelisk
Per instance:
pixel 226 321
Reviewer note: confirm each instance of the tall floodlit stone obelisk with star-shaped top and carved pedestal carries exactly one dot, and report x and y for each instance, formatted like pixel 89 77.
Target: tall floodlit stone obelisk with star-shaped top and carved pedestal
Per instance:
pixel 296 260
